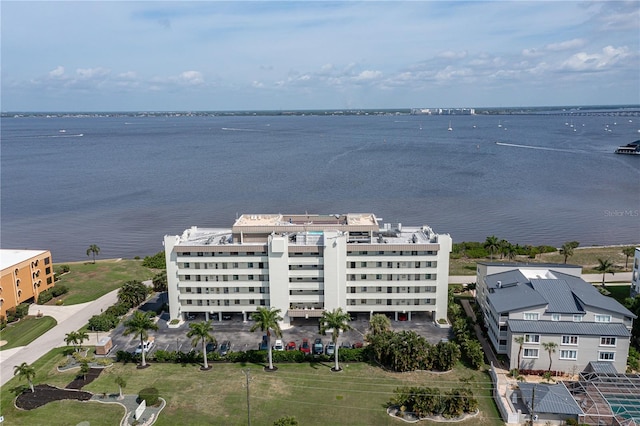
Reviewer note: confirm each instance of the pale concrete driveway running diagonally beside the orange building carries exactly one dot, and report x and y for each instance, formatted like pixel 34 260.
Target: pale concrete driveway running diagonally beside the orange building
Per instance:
pixel 70 318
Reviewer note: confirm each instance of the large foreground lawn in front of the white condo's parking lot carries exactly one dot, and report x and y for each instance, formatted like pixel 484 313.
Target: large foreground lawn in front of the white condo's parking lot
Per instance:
pixel 310 392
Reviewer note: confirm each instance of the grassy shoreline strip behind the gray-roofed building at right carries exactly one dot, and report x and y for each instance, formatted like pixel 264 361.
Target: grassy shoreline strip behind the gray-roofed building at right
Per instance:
pixel 586 257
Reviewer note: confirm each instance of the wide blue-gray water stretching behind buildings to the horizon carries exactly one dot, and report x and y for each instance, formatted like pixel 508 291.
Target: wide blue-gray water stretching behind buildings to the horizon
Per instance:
pixel 124 182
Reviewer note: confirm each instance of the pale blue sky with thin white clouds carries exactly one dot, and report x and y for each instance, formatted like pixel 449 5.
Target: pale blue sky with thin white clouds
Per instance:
pixel 296 55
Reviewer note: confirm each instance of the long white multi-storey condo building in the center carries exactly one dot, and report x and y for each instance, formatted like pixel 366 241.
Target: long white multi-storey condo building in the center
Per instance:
pixel 304 264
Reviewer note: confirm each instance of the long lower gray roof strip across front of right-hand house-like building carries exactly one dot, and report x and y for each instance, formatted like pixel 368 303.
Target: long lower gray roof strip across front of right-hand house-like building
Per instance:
pixel 568 327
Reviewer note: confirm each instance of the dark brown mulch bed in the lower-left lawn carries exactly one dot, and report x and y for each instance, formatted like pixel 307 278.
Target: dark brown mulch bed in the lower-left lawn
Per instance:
pixel 43 394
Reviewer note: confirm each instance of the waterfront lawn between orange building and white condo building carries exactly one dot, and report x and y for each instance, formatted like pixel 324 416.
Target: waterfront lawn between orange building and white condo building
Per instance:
pixel 87 281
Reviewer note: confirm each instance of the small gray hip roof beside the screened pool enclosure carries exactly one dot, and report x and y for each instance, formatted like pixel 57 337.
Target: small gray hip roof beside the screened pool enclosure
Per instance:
pixel 552 399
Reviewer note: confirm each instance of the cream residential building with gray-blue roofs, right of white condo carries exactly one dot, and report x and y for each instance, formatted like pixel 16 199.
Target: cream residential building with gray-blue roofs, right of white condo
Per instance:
pixel 551 304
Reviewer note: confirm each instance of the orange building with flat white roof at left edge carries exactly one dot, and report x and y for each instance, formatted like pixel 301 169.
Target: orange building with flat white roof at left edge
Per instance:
pixel 25 274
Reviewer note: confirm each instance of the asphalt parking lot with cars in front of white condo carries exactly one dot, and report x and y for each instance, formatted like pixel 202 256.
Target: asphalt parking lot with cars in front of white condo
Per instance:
pixel 237 332
